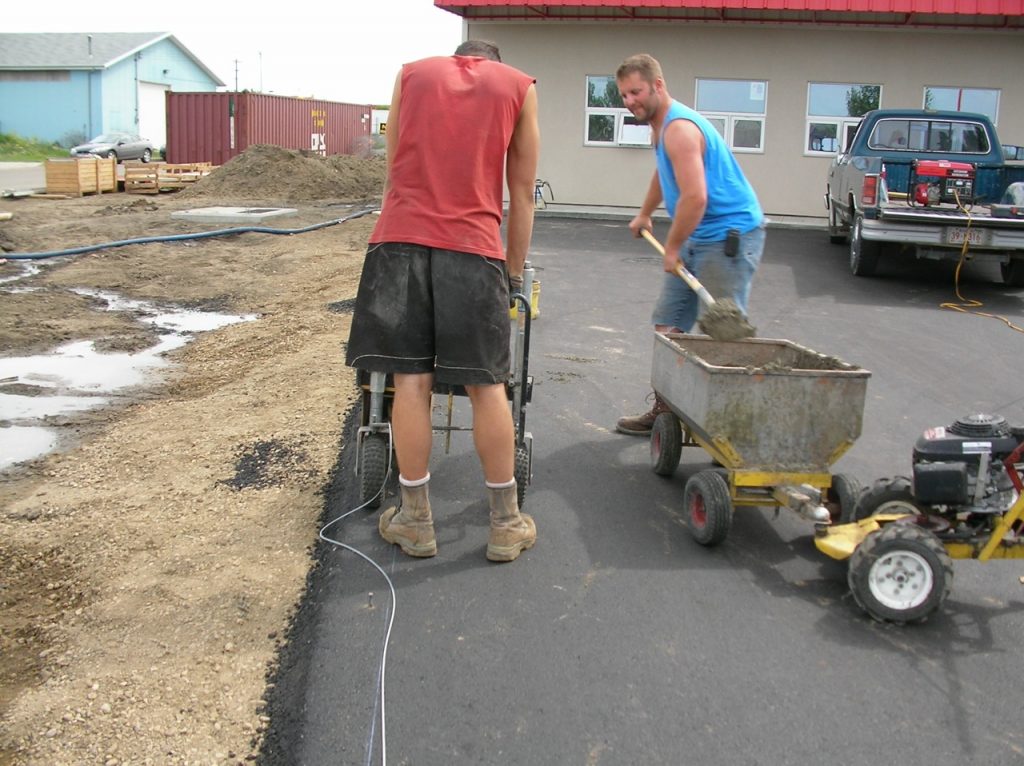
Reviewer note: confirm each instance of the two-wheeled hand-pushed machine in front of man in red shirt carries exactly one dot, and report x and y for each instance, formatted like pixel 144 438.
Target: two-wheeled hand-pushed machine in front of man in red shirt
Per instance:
pixel 374 445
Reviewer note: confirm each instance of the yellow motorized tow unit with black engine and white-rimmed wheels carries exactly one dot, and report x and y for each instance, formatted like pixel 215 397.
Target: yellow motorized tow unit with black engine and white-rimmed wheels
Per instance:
pixel 966 500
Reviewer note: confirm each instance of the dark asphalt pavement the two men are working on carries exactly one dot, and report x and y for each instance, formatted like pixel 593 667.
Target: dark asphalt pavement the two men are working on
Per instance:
pixel 620 641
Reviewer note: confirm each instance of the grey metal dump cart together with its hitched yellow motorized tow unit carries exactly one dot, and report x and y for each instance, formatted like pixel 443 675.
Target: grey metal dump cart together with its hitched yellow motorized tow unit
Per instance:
pixel 776 416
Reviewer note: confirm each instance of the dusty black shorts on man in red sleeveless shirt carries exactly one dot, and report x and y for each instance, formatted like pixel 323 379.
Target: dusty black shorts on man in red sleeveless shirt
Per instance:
pixel 422 310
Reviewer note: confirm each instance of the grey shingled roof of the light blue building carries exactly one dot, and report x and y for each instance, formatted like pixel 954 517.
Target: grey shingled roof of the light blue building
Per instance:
pixel 77 51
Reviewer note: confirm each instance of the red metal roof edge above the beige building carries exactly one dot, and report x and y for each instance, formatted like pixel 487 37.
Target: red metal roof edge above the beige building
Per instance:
pixel 989 14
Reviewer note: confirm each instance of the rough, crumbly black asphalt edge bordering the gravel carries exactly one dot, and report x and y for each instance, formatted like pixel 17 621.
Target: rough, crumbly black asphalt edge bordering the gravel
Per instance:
pixel 289 672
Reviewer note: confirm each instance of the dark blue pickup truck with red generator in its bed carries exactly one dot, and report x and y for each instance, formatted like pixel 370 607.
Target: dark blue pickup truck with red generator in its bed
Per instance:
pixel 937 184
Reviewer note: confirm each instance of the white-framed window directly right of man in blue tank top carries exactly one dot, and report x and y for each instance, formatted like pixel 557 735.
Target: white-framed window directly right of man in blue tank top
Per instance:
pixel 737 109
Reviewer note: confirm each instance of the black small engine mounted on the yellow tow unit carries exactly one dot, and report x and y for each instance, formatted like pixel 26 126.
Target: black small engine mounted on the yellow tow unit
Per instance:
pixel 962 466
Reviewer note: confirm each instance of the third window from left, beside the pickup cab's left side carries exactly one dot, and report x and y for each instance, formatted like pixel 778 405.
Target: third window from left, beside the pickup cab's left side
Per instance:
pixel 834 112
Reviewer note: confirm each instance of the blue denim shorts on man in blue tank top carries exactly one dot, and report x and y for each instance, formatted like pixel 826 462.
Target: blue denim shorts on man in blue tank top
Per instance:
pixel 722 276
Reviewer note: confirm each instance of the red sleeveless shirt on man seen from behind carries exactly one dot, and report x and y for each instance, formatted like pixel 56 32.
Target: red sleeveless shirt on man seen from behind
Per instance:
pixel 455 124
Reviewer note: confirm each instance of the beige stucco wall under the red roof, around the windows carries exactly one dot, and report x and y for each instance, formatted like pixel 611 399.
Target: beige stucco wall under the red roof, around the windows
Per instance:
pixel 562 55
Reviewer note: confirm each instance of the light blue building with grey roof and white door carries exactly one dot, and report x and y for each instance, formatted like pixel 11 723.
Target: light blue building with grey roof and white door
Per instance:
pixel 67 88
